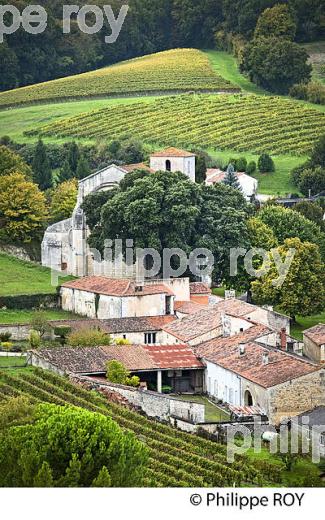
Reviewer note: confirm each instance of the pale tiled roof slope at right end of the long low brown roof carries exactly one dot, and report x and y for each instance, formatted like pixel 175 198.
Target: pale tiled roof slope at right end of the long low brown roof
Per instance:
pixel 195 325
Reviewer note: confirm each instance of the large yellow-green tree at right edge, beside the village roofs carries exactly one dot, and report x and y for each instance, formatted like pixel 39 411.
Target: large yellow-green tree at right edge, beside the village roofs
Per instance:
pixel 303 288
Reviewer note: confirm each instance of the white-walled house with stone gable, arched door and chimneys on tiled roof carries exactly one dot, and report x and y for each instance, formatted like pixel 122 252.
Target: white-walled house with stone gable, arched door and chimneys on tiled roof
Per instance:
pixel 243 370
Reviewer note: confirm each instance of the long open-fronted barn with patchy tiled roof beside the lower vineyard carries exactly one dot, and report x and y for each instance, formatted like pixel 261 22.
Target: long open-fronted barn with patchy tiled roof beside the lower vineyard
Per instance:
pixel 174 366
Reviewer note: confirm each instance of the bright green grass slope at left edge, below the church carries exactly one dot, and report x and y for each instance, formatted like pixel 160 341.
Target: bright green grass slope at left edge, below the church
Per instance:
pixel 19 277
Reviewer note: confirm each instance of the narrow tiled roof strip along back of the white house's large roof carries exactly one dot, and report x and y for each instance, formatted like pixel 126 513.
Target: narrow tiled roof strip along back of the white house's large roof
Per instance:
pixel 208 348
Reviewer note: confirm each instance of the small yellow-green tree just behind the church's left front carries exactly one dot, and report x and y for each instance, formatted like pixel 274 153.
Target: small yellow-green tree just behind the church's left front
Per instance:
pixel 64 200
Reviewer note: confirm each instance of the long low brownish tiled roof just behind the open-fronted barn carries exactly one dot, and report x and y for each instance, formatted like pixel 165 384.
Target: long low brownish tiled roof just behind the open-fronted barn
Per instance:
pixel 119 325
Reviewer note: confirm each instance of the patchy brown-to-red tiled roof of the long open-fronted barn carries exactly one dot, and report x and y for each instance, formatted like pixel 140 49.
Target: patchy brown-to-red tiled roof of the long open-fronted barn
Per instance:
pixel 91 360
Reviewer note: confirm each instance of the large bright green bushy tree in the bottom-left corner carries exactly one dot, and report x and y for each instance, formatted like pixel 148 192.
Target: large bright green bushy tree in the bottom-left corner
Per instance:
pixel 73 442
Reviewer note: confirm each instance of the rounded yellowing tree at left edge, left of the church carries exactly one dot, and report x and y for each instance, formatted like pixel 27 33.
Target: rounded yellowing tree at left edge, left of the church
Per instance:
pixel 23 211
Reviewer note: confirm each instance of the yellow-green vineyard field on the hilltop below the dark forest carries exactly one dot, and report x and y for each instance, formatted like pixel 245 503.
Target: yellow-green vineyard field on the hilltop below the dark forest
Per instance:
pixel 176 70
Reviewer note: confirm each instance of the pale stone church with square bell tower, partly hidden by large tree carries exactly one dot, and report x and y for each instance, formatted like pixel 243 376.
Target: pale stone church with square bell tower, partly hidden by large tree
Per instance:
pixel 65 247
